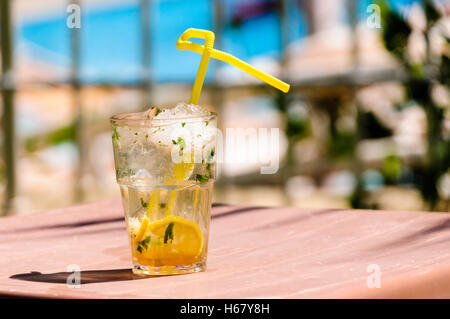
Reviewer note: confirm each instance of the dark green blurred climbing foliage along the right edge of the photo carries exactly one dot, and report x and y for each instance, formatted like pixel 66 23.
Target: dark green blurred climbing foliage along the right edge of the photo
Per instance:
pixel 419 82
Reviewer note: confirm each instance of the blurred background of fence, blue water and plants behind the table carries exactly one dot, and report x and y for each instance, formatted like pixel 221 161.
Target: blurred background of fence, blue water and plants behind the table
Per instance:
pixel 366 123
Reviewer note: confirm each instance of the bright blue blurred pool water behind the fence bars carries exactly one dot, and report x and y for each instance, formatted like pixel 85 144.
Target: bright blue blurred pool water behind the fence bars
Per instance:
pixel 110 38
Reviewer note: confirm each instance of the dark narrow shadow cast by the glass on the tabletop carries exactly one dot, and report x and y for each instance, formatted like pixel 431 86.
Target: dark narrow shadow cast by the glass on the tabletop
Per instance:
pixel 87 277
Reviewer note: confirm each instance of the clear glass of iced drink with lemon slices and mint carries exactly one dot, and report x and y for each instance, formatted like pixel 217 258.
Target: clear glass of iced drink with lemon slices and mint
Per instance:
pixel 165 166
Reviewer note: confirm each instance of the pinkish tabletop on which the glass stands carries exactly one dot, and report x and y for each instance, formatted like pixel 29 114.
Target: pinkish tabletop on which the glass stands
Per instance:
pixel 254 252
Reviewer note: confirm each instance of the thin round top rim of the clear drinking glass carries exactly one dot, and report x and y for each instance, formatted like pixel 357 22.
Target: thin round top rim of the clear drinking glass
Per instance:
pixel 115 120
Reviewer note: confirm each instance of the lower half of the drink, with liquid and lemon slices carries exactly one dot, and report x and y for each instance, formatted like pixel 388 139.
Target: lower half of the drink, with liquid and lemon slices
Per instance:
pixel 168 226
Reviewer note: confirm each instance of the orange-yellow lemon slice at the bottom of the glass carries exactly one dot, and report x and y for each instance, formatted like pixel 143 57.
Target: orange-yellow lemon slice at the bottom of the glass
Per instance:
pixel 173 241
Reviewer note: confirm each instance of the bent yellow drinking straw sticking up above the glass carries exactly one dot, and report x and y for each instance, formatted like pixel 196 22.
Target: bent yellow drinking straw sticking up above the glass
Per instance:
pixel 207 51
